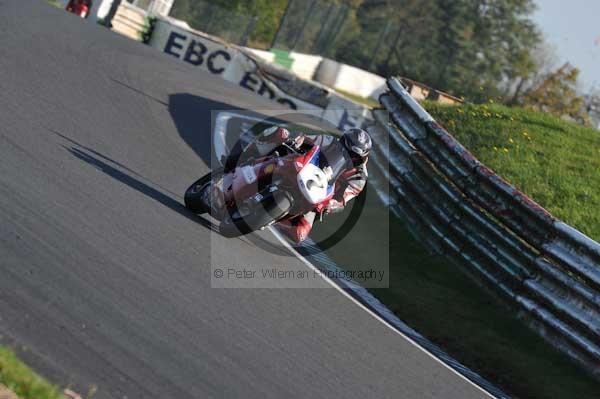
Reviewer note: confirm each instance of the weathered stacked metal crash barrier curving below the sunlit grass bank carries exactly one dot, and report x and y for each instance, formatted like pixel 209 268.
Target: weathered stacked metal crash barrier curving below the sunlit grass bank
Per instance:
pixel 460 208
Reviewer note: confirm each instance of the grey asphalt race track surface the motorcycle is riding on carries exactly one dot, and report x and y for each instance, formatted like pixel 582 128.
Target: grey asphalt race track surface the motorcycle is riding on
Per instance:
pixel 105 277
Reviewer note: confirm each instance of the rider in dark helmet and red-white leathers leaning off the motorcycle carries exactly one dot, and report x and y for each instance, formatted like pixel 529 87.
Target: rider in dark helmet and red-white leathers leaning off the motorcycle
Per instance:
pixel 347 158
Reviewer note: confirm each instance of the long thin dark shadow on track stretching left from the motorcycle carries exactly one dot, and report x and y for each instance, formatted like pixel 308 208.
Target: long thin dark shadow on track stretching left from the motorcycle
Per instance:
pixel 94 158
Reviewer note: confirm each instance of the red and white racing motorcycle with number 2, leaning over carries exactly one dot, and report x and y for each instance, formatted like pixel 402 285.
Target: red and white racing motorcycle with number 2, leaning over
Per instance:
pixel 288 182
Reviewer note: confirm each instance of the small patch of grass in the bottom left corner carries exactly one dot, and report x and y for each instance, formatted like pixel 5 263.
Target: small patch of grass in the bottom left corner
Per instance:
pixel 23 381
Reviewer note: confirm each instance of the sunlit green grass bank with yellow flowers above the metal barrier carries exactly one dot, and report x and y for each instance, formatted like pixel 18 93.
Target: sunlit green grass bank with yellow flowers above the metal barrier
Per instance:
pixel 557 163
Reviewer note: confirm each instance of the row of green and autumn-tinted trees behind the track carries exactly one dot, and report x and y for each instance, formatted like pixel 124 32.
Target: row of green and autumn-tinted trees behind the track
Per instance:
pixel 474 49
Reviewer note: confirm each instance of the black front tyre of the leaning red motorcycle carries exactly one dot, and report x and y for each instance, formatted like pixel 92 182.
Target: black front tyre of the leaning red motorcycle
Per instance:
pixel 270 210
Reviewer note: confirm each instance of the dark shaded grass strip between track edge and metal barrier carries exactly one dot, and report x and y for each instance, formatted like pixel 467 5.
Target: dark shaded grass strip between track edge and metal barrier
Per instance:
pixel 437 299
